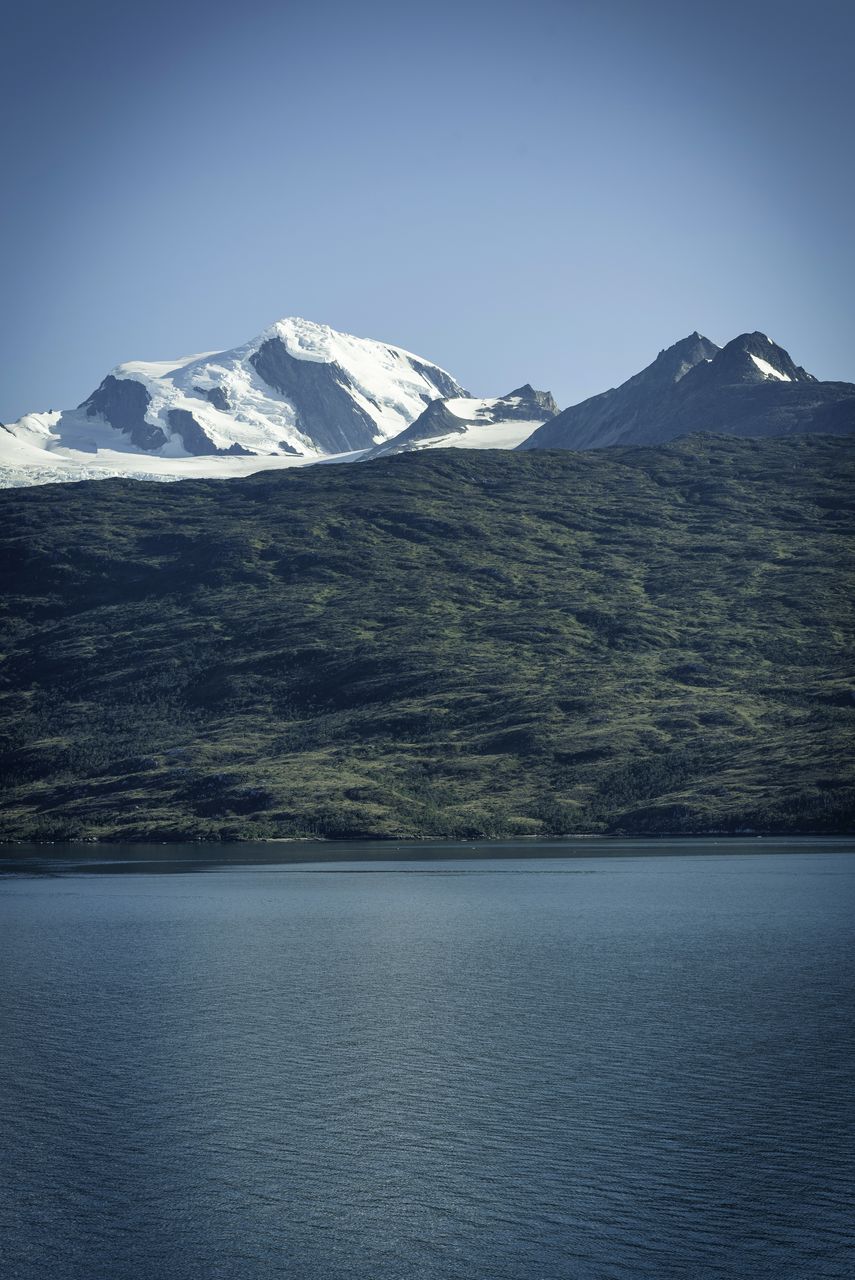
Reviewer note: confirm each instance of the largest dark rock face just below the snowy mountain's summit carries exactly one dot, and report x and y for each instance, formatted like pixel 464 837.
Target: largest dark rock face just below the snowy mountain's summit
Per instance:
pixel 322 396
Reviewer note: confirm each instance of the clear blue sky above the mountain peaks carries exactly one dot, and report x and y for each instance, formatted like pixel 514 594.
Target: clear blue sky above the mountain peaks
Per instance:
pixel 542 193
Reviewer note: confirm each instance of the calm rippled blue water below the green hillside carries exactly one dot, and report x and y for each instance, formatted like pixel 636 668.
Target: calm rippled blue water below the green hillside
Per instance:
pixel 570 1068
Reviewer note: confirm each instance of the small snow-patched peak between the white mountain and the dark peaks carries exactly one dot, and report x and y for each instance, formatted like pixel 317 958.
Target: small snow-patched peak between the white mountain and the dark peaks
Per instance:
pixel 499 423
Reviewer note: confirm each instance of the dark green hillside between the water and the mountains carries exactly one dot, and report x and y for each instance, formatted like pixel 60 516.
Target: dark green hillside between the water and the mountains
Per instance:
pixel 447 643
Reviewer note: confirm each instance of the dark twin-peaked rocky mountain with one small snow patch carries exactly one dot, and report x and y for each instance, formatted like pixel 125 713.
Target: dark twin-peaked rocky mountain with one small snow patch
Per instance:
pixel 751 387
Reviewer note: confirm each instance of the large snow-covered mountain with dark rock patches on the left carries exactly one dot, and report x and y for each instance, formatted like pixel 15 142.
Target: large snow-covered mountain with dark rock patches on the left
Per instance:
pixel 299 392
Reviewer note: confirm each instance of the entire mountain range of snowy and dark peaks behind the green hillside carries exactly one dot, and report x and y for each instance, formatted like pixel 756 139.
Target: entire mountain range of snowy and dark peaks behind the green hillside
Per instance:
pixel 301 394
